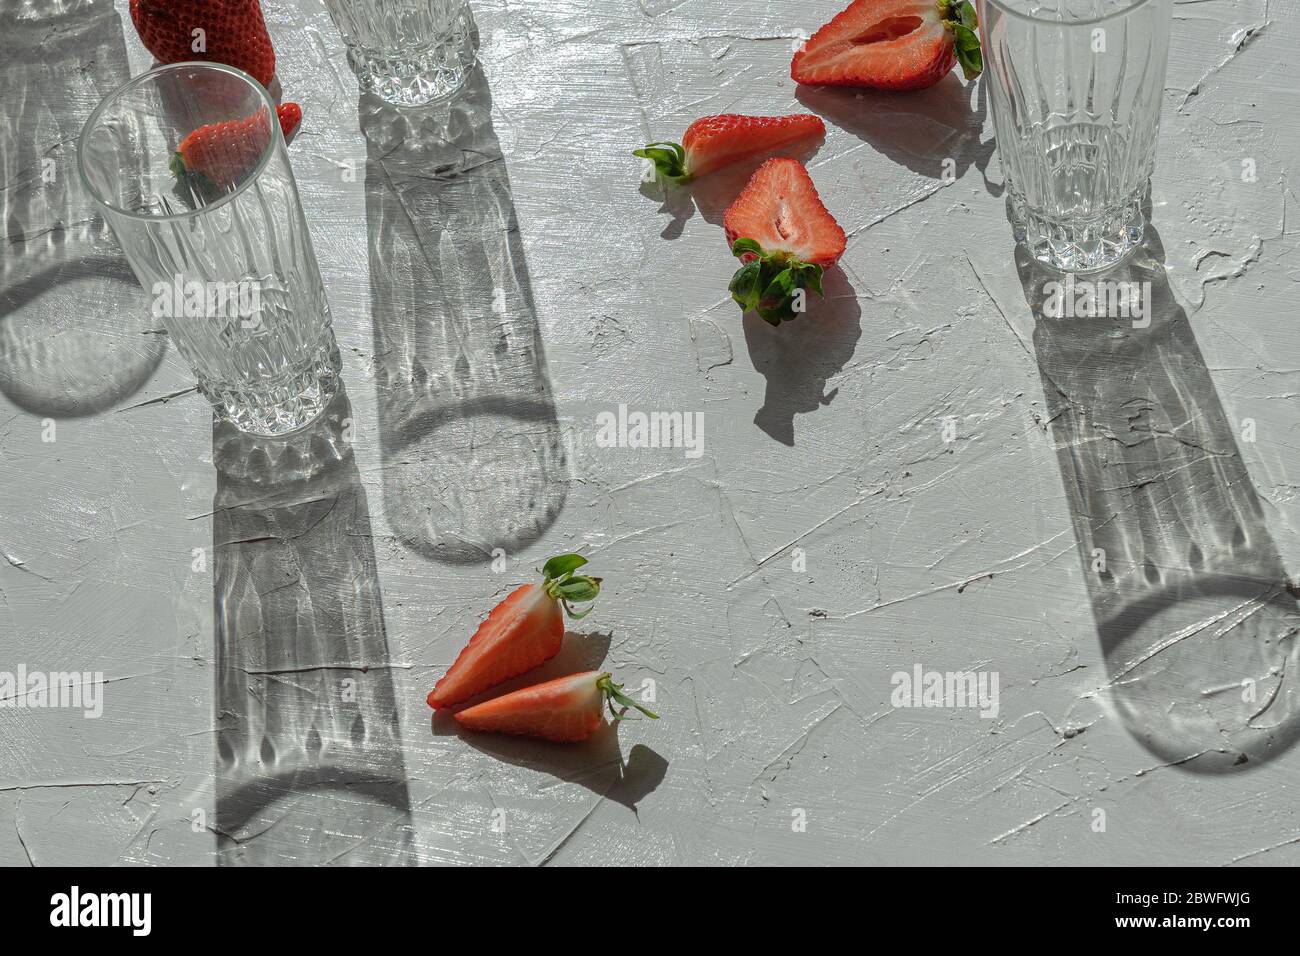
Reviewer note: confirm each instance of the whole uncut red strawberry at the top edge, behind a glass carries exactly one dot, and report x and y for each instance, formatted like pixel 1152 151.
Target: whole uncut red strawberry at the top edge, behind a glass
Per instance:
pixel 229 32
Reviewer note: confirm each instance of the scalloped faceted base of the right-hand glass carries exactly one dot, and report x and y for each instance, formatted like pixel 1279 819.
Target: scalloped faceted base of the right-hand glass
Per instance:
pixel 1072 245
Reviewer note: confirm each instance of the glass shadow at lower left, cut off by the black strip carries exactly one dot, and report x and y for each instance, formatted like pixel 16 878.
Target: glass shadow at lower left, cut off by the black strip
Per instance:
pixel 310 765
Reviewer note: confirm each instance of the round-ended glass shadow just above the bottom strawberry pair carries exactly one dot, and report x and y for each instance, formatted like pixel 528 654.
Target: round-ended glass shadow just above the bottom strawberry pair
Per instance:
pixel 471 445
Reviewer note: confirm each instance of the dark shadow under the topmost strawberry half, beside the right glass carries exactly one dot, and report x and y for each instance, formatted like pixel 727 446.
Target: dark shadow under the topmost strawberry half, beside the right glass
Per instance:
pixel 922 131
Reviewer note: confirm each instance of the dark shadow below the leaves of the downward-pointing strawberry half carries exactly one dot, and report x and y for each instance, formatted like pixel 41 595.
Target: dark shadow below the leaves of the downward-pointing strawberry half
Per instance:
pixel 798 358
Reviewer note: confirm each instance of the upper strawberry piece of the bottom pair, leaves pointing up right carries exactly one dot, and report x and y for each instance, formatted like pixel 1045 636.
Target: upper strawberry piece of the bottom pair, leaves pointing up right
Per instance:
pixel 522 633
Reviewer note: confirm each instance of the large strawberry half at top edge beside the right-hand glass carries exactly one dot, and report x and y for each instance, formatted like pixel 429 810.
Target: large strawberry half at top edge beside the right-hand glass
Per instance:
pixel 892 45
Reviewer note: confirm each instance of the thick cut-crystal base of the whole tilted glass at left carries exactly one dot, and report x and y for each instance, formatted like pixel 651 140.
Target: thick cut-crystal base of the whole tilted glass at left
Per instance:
pixel 292 405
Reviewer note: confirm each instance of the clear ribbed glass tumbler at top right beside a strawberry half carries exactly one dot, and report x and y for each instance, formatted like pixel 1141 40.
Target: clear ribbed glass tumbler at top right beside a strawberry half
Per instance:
pixel 1074 88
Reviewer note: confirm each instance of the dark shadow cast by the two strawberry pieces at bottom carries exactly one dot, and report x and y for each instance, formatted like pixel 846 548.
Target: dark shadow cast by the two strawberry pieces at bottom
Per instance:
pixel 596 763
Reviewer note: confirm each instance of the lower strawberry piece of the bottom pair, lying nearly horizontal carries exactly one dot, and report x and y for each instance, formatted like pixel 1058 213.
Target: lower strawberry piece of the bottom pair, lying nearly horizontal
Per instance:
pixel 564 710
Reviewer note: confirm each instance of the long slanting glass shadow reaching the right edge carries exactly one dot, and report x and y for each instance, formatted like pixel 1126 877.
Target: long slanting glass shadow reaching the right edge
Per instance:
pixel 1189 591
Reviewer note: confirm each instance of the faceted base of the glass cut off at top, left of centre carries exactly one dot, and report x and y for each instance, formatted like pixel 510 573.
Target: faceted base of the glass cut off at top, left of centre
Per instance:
pixel 414 80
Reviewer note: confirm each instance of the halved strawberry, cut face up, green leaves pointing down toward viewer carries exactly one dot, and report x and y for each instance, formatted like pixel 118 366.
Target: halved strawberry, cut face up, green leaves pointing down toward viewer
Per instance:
pixel 786 239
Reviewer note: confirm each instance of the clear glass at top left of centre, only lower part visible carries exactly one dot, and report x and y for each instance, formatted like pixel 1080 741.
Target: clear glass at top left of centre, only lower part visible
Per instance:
pixel 409 53
